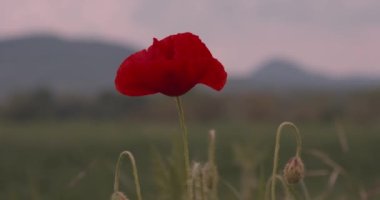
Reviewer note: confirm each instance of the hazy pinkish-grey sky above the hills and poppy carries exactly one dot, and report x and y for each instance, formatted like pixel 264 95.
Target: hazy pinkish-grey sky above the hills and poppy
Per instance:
pixel 335 37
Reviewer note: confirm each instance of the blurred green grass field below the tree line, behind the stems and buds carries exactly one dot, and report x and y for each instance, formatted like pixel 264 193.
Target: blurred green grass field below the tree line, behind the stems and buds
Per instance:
pixel 75 159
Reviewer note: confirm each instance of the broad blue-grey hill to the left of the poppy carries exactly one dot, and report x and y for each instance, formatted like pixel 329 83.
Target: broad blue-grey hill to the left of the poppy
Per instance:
pixel 59 64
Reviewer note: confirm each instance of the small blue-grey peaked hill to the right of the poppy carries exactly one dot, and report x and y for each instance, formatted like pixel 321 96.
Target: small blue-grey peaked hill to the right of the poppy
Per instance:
pixel 284 75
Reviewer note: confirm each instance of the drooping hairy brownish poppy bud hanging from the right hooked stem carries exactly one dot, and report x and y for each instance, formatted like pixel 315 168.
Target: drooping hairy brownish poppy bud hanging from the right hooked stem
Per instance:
pixel 294 170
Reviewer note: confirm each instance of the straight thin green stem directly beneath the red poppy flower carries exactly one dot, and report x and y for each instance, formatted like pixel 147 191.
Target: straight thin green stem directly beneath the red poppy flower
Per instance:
pixel 186 153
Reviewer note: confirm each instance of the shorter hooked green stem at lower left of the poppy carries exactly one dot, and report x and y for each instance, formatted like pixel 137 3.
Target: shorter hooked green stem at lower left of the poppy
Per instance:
pixel 134 171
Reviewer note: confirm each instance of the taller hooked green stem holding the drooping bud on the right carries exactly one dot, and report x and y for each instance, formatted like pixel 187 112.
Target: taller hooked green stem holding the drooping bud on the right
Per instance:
pixel 277 150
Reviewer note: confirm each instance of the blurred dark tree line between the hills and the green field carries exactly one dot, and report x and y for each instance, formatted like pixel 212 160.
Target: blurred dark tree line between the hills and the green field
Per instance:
pixel 199 106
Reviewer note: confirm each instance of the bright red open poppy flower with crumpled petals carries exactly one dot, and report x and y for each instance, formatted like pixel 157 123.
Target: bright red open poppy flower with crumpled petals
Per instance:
pixel 171 66
